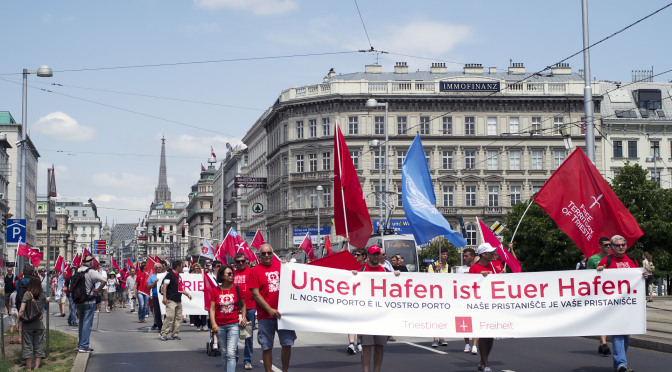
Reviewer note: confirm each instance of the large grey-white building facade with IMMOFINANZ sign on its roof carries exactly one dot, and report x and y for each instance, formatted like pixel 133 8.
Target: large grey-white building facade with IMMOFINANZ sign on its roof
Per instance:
pixel 491 140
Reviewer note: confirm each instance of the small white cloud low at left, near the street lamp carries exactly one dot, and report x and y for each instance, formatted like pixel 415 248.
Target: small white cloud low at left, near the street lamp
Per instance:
pixel 60 126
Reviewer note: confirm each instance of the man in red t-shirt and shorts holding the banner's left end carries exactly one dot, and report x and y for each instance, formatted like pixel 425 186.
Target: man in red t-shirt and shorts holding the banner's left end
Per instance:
pixel 264 282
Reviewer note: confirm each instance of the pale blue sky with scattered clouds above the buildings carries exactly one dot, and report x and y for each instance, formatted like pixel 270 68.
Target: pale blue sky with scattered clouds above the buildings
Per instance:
pixel 102 126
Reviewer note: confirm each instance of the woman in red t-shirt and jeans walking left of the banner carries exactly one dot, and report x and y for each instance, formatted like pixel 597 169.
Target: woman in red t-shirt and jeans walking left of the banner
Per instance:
pixel 224 308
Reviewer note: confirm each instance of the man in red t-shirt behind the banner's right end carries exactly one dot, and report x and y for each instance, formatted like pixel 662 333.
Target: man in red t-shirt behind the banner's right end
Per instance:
pixel 620 260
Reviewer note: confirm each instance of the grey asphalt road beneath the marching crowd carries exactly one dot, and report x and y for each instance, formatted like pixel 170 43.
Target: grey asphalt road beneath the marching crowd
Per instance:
pixel 122 344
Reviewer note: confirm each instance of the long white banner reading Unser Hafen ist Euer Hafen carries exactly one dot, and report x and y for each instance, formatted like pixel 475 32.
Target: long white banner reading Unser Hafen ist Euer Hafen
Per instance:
pixel 543 304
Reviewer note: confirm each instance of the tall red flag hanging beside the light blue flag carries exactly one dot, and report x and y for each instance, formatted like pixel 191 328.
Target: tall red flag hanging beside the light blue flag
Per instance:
pixel 351 215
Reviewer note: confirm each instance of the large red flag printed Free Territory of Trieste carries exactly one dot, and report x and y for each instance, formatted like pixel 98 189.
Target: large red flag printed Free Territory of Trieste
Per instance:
pixel 583 205
